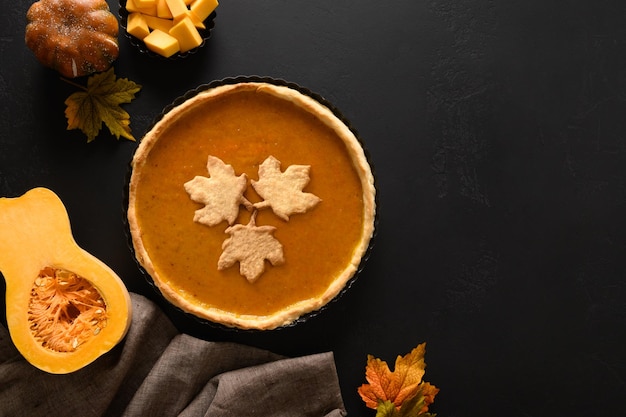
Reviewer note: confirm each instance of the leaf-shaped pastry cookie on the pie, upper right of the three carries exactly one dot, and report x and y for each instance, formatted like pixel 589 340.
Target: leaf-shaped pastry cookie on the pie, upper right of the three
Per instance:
pixel 282 191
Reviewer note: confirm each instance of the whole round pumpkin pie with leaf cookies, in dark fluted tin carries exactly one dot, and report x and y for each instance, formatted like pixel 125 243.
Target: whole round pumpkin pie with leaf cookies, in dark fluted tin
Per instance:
pixel 251 204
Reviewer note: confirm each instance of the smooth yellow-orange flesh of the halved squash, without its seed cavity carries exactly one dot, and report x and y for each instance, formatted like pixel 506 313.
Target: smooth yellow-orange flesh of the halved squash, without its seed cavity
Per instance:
pixel 24 254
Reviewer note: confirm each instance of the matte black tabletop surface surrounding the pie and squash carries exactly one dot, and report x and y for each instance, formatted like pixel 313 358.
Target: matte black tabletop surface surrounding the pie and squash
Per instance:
pixel 497 131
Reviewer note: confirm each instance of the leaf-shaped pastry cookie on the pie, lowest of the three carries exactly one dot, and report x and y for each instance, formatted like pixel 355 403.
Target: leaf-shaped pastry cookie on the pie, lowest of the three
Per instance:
pixel 251 245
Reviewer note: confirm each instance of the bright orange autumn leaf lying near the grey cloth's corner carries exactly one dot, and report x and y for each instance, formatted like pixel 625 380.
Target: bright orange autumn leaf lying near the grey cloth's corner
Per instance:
pixel 399 385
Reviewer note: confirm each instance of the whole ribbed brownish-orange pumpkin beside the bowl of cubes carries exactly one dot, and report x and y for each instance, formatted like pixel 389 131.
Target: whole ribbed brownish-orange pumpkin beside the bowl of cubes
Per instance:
pixel 74 37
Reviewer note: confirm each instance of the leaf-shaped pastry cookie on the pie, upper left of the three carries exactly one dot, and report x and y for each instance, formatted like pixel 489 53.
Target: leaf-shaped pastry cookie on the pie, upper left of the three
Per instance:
pixel 221 194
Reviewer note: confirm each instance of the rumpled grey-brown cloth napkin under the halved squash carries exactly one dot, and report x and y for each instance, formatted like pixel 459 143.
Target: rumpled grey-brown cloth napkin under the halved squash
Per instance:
pixel 158 371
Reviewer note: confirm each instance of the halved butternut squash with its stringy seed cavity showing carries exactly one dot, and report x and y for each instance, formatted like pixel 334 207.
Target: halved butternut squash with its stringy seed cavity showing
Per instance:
pixel 65 307
